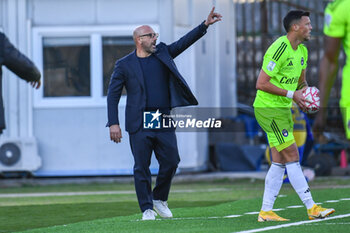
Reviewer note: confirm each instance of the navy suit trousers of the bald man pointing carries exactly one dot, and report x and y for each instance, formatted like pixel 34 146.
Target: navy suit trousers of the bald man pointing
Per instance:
pixel 164 145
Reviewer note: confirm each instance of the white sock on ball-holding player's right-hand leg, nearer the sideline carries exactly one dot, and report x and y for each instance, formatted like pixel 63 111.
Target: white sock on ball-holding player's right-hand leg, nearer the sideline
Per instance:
pixel 298 181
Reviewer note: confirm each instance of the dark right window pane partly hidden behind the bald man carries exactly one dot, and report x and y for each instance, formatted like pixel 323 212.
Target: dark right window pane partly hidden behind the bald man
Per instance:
pixel 114 48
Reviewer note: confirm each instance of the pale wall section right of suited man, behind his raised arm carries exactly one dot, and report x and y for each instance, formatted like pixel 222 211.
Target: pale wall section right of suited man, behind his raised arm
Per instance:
pixel 209 69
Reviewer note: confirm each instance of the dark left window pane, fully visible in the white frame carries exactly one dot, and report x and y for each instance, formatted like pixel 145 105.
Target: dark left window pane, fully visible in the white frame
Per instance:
pixel 66 66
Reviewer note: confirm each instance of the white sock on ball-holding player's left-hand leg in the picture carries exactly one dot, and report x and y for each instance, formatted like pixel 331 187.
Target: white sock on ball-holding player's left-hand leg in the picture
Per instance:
pixel 273 184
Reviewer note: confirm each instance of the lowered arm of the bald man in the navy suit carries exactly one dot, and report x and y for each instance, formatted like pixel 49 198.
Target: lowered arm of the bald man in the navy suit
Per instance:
pixel 114 93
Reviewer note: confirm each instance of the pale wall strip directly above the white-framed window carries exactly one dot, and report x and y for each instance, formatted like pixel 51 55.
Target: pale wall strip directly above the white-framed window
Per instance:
pixel 93 12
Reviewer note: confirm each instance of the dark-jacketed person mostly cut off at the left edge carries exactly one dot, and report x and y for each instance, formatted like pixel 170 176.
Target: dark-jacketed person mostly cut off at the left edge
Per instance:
pixel 19 64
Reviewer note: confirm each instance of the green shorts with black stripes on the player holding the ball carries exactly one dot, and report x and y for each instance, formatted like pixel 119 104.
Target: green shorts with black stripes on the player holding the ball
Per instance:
pixel 277 124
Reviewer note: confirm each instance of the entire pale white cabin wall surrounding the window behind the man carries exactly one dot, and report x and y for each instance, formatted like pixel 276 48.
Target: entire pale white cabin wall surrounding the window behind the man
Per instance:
pixel 74 140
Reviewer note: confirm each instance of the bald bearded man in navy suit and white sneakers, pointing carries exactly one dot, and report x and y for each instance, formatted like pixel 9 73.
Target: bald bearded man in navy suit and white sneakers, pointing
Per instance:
pixel 152 82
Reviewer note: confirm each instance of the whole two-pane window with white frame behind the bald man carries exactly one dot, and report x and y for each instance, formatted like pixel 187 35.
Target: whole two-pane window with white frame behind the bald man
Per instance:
pixel 77 62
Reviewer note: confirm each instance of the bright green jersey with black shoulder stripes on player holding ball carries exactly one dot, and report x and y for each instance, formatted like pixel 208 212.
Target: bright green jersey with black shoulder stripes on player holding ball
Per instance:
pixel 284 65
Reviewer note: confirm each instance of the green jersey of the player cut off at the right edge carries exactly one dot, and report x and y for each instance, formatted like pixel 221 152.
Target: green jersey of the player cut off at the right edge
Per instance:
pixel 337 24
